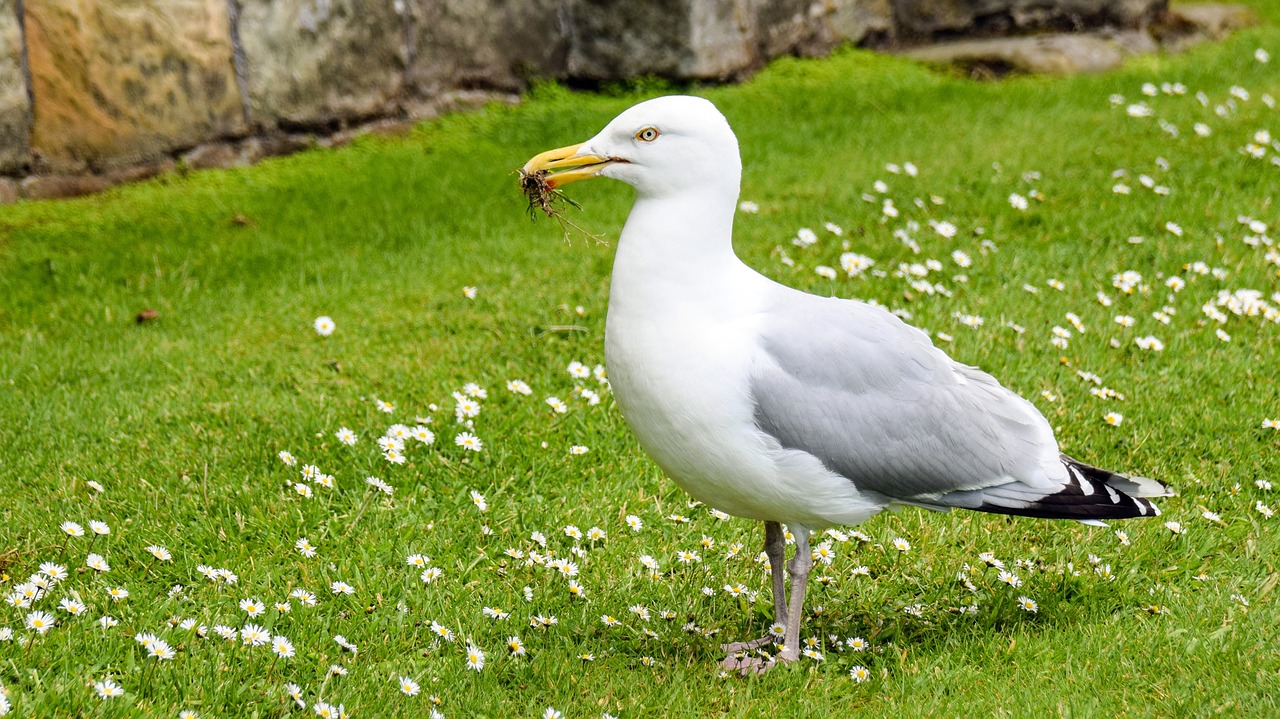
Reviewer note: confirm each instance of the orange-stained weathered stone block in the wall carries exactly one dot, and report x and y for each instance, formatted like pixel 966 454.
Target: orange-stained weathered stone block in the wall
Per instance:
pixel 120 83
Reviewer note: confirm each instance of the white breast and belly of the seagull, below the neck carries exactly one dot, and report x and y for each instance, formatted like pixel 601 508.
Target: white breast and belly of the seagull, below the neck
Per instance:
pixel 680 361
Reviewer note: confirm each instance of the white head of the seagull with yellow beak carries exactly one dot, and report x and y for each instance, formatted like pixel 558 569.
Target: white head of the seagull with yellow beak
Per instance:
pixel 664 146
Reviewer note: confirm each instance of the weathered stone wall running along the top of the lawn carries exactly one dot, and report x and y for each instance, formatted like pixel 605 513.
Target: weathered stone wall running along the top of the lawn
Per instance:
pixel 97 91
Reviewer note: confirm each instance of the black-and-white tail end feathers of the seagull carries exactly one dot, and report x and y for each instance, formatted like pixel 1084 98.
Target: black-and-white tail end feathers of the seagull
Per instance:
pixel 1090 494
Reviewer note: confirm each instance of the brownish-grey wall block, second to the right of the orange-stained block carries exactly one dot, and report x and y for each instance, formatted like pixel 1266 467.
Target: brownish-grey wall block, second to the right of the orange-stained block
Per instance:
pixel 486 44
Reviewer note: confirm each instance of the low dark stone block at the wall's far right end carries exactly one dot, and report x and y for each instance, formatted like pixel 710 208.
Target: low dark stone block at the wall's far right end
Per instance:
pixel 921 20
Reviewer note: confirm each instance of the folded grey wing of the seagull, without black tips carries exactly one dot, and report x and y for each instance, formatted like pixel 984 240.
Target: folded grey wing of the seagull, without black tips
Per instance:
pixel 876 402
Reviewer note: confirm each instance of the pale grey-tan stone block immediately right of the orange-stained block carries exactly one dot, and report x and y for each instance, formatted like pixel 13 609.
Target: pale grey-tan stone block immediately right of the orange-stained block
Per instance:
pixel 322 63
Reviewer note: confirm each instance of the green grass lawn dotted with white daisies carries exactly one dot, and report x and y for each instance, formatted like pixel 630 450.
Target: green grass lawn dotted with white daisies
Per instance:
pixel 181 419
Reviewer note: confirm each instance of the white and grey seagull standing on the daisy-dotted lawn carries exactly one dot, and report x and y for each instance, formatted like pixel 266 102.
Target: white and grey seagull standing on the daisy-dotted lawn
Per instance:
pixel 787 407
